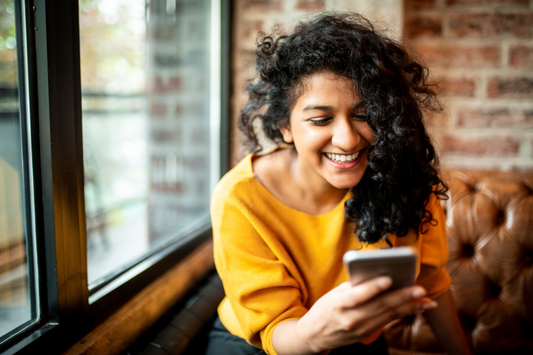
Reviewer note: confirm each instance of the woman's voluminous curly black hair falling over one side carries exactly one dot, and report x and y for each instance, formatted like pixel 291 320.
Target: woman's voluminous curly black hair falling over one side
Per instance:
pixel 395 89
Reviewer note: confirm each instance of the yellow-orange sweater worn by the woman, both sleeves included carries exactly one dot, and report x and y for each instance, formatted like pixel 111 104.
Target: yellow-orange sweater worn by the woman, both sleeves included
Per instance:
pixel 276 262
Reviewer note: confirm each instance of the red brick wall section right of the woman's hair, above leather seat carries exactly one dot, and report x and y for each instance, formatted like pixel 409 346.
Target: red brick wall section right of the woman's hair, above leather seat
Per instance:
pixel 482 53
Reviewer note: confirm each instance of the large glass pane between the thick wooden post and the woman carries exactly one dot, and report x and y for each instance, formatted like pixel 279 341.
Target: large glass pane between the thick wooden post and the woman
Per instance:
pixel 145 101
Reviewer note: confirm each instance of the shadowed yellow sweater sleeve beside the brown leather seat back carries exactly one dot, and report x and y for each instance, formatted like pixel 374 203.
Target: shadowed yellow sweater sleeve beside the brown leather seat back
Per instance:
pixel 434 253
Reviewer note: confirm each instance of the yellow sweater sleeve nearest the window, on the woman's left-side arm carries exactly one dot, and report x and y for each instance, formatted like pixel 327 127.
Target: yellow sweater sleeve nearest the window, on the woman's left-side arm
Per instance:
pixel 259 289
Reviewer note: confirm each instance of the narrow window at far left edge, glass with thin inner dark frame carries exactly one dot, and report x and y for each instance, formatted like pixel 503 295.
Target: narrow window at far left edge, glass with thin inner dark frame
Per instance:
pixel 18 299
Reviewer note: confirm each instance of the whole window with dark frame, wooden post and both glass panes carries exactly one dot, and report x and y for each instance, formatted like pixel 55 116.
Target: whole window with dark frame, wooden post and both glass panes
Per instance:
pixel 111 140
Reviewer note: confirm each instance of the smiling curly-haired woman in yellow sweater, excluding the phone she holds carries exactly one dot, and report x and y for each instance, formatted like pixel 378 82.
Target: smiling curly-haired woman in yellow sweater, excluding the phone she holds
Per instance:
pixel 359 173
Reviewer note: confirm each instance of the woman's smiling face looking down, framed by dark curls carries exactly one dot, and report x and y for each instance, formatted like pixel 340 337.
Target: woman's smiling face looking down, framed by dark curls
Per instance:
pixel 329 132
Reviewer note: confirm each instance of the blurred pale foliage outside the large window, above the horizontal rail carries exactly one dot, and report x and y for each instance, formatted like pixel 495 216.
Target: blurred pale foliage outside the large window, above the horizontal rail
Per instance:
pixel 113 49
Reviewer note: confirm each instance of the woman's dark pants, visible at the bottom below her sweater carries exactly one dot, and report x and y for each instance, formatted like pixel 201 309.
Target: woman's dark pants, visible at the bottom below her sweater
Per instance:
pixel 222 342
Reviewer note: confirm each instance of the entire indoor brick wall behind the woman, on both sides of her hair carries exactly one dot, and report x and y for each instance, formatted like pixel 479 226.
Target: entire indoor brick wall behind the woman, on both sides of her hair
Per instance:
pixel 481 52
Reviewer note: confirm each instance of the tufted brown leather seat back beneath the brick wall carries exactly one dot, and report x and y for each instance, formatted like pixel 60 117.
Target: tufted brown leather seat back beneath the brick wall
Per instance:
pixel 489 220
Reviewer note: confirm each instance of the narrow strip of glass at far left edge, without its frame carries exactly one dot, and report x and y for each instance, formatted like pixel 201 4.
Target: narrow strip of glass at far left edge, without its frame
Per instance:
pixel 15 299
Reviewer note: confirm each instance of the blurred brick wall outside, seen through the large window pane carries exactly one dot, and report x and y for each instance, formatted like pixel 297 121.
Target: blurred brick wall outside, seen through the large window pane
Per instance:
pixel 178 71
